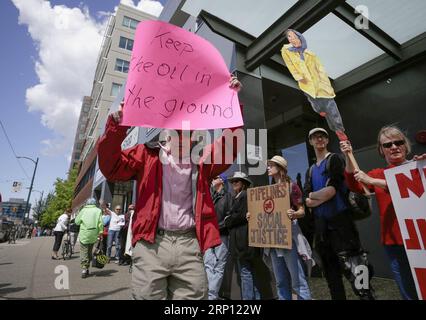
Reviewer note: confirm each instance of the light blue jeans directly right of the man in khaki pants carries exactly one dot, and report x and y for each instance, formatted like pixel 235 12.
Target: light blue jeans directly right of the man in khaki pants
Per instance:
pixel 214 263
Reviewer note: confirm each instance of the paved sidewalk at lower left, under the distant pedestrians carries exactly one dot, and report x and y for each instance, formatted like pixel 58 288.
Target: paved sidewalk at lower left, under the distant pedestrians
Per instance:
pixel 28 272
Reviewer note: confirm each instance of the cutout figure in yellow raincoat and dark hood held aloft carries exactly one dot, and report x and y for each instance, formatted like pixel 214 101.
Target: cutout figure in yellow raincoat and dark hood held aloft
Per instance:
pixel 313 80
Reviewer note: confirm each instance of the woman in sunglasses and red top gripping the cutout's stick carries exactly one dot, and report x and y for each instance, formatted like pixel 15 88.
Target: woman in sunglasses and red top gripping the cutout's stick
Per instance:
pixel 394 147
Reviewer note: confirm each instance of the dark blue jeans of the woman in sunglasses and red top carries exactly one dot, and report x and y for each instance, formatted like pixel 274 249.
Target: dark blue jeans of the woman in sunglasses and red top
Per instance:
pixel 401 271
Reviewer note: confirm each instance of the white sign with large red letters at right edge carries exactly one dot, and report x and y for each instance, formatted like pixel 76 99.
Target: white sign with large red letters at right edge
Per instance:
pixel 407 184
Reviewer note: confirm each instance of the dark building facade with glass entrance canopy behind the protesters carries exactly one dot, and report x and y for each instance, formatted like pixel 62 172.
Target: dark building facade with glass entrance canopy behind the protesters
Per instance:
pixel 377 68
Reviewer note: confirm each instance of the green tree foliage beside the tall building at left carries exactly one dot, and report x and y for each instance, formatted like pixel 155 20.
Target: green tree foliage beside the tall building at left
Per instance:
pixel 59 201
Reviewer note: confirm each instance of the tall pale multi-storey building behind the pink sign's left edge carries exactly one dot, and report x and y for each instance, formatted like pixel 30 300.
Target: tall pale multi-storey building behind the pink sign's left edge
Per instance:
pixel 109 80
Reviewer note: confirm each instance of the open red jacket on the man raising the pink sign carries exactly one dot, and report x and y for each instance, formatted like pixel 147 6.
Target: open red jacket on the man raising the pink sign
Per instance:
pixel 143 164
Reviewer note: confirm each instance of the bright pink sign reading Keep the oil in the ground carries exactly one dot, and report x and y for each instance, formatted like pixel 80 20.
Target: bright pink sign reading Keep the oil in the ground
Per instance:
pixel 176 76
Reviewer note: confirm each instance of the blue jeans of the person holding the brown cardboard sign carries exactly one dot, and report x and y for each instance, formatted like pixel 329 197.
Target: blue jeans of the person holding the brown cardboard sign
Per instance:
pixel 289 274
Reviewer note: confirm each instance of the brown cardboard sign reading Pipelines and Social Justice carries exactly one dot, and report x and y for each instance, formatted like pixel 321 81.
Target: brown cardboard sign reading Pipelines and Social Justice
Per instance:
pixel 269 225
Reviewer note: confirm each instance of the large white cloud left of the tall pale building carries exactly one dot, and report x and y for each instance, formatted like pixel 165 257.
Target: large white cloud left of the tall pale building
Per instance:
pixel 68 42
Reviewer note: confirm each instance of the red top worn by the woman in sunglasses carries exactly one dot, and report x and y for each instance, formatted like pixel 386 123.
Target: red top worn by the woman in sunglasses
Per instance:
pixel 390 232
